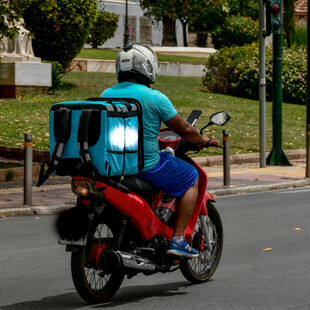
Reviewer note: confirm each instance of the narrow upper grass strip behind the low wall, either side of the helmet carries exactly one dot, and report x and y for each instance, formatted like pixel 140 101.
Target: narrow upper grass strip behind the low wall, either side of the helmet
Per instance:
pixel 110 54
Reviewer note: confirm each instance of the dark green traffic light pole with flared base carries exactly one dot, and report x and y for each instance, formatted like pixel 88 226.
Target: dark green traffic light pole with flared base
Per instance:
pixel 277 156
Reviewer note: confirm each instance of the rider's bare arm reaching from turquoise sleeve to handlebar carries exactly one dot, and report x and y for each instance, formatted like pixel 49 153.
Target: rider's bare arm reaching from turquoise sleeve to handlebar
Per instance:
pixel 186 130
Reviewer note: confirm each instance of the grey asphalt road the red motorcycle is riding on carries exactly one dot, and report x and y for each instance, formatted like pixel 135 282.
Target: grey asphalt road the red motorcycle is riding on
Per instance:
pixel 35 270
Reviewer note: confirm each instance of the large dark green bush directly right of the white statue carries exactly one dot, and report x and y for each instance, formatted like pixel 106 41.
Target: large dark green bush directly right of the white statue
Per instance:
pixel 60 28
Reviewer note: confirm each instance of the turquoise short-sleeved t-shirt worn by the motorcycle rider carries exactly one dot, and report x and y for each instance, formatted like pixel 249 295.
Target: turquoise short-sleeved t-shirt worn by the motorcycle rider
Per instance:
pixel 156 108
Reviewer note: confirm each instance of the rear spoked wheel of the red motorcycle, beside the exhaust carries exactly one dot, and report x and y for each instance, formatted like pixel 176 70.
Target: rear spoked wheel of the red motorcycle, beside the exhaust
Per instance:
pixel 93 284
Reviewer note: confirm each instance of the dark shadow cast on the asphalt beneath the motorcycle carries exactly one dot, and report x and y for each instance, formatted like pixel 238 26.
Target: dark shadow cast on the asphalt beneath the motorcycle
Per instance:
pixel 126 295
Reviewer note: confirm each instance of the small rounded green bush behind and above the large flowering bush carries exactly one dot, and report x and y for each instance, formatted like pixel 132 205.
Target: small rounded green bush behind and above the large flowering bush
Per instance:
pixel 236 30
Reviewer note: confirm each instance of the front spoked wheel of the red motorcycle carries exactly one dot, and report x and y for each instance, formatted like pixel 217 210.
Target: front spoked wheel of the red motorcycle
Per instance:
pixel 200 269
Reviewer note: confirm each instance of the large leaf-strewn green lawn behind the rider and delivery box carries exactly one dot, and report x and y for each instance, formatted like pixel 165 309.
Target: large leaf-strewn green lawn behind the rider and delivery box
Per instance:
pixel 31 114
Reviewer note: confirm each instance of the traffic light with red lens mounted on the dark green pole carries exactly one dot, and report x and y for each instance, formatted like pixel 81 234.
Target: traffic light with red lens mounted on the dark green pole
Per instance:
pixel 273 17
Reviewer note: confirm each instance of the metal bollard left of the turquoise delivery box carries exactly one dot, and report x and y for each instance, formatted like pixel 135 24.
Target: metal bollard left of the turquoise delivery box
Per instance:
pixel 28 170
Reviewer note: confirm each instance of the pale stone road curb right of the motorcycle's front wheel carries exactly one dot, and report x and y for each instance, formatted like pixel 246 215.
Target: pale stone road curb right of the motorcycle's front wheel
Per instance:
pixel 259 188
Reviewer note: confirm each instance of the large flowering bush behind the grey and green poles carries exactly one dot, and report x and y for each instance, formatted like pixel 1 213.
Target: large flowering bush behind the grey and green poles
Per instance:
pixel 237 73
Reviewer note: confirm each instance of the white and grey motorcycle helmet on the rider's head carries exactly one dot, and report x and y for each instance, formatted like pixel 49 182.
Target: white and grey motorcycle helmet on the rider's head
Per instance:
pixel 137 61
